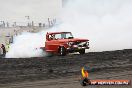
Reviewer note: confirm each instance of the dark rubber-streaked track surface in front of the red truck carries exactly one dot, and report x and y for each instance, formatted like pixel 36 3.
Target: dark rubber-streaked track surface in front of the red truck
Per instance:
pixel 64 71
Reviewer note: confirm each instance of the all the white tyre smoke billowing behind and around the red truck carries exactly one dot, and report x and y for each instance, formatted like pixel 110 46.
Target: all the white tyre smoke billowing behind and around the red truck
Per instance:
pixel 106 23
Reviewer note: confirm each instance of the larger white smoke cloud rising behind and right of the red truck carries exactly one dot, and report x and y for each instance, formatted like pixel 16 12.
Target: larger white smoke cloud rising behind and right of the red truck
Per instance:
pixel 106 23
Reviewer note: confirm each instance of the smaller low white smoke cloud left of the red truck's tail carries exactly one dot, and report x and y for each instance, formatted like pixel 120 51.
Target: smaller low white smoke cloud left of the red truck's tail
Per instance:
pixel 26 45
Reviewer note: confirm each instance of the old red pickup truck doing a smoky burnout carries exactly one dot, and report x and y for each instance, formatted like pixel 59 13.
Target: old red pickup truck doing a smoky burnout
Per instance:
pixel 62 43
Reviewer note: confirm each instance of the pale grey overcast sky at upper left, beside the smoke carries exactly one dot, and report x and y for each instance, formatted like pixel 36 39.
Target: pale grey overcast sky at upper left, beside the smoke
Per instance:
pixel 38 10
